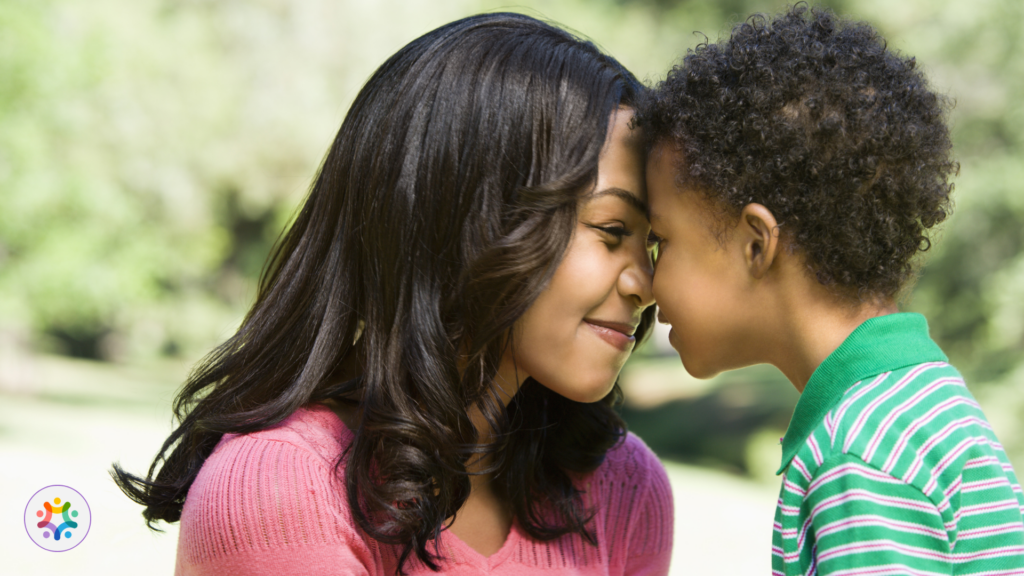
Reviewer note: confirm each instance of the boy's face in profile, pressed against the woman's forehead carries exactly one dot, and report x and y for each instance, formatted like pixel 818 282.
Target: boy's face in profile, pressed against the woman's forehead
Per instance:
pixel 700 280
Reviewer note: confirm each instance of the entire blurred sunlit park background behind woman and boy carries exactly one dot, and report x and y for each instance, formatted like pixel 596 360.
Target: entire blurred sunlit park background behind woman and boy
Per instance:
pixel 151 151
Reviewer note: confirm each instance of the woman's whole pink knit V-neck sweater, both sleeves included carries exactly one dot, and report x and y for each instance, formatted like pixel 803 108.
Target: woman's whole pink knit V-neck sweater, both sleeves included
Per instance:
pixel 270 504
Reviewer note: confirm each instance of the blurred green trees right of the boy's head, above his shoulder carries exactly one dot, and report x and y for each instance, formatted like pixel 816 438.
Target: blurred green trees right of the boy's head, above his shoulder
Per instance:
pixel 973 287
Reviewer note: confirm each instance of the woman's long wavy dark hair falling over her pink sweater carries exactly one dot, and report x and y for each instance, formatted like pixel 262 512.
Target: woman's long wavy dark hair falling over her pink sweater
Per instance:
pixel 444 207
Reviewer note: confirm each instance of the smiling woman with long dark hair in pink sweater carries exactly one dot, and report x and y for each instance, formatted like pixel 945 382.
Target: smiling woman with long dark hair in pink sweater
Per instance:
pixel 426 380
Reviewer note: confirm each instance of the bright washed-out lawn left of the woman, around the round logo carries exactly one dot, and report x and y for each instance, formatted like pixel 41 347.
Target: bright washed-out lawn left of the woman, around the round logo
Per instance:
pixel 66 426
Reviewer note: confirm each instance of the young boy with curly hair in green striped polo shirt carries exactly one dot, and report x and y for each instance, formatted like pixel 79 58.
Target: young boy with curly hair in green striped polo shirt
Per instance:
pixel 794 175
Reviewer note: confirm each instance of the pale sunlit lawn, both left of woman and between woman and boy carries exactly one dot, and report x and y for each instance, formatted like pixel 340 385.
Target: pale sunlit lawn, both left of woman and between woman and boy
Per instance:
pixel 79 417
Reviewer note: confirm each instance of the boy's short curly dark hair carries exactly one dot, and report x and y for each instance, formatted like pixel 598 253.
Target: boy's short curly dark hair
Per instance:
pixel 815 118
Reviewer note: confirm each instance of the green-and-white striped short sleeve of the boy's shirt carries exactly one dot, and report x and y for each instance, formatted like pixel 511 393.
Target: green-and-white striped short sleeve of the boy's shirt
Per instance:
pixel 862 518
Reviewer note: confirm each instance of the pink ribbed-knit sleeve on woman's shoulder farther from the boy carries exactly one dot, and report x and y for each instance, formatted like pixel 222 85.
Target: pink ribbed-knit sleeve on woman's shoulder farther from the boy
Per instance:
pixel 265 508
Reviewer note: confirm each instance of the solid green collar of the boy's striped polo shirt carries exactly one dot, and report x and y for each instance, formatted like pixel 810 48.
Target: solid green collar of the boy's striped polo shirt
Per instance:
pixel 880 345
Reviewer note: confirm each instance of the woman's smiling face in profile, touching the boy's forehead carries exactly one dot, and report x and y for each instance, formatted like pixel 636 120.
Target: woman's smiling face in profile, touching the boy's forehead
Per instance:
pixel 579 334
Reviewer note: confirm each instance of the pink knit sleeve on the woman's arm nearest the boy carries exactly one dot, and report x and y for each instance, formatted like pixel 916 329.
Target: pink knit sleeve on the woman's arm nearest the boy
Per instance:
pixel 649 550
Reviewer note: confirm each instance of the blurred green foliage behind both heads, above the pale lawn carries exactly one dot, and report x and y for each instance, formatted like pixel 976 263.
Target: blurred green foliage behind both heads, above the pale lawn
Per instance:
pixel 151 151
